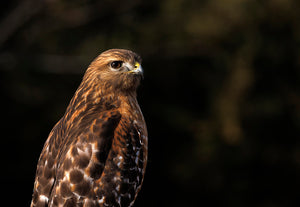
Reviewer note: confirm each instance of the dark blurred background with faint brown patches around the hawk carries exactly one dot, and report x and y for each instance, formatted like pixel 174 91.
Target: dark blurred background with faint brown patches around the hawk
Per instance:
pixel 220 96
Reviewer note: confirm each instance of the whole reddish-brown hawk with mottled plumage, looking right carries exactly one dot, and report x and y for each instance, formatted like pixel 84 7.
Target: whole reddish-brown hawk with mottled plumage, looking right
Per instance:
pixel 96 154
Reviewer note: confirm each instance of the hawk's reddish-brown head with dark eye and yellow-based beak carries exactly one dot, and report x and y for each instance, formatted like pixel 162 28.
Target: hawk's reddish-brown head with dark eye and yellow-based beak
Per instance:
pixel 116 69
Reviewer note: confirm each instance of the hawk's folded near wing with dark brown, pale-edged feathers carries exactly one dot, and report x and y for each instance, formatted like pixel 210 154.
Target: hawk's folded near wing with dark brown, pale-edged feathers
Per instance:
pixel 83 160
